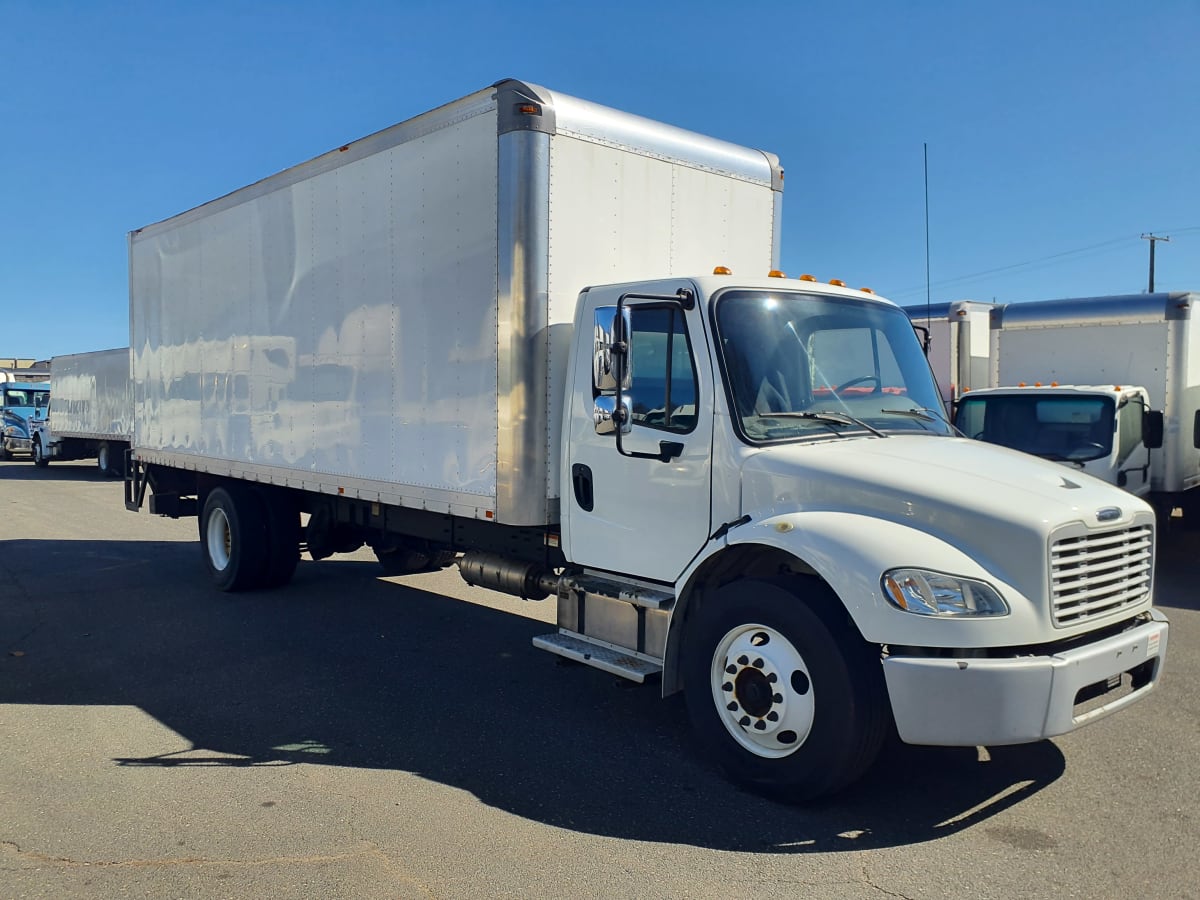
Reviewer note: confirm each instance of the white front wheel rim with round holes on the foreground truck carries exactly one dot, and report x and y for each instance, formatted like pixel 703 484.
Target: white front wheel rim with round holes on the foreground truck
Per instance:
pixel 763 691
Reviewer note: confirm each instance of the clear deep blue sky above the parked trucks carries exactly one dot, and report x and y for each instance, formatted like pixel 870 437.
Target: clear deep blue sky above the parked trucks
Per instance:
pixel 1058 133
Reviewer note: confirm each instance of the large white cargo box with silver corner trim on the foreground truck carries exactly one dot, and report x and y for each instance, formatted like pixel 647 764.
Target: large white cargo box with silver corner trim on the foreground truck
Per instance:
pixel 389 321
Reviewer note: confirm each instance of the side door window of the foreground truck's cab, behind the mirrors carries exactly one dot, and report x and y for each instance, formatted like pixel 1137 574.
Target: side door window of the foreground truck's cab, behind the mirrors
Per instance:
pixel 663 387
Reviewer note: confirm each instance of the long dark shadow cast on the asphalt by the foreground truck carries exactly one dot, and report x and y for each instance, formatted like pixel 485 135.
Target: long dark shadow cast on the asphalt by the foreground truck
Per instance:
pixel 345 669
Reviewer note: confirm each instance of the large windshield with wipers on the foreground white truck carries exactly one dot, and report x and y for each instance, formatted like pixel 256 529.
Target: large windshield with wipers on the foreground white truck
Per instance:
pixel 803 365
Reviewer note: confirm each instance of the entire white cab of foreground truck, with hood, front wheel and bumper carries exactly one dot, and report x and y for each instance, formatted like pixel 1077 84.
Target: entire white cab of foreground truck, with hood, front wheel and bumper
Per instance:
pixel 814 515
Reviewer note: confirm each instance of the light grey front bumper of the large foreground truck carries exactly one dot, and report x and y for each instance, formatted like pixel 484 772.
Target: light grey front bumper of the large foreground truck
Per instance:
pixel 969 703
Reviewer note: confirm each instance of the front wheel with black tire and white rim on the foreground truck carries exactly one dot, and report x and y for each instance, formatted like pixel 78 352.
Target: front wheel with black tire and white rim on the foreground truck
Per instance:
pixel 782 691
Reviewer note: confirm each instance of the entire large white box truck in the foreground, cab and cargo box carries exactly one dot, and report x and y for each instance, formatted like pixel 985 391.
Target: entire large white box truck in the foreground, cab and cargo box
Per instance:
pixel 476 333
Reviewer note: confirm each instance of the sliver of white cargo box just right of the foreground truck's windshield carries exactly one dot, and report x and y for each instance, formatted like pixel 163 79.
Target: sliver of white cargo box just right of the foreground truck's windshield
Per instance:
pixel 957 343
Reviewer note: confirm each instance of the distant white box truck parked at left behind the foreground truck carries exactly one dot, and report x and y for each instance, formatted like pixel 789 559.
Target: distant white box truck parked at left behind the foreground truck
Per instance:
pixel 91 415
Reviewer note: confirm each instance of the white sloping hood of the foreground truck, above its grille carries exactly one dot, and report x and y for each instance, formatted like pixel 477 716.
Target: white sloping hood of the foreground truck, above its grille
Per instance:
pixel 970 494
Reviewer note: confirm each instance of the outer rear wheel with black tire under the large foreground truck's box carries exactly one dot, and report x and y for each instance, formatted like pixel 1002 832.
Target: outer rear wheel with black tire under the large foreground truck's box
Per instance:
pixel 235 538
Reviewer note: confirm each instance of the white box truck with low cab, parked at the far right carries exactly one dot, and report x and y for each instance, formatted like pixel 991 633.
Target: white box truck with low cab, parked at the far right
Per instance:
pixel 1108 385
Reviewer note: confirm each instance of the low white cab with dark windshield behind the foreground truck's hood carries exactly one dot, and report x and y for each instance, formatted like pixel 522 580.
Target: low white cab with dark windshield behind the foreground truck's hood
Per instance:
pixel 1107 431
